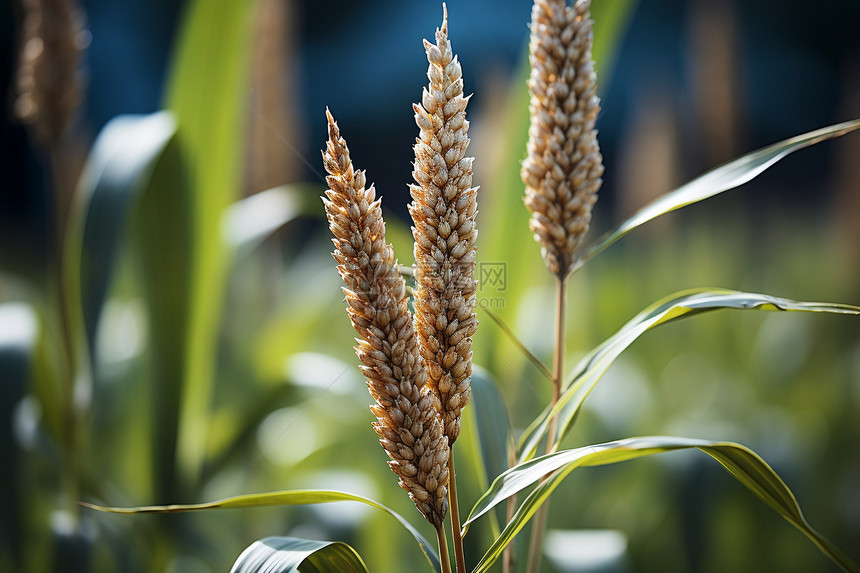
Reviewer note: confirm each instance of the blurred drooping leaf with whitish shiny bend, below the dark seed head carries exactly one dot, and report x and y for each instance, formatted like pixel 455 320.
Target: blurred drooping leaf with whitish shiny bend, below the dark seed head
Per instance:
pixel 117 171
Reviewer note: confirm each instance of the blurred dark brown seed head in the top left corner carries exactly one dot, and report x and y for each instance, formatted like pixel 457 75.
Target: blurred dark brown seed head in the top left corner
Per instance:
pixel 49 79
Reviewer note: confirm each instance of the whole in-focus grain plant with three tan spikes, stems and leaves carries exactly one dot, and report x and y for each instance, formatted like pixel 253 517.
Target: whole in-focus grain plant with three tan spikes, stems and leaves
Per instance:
pixel 415 342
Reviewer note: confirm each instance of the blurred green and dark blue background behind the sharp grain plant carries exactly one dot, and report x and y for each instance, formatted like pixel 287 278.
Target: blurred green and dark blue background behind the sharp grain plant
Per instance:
pixel 221 356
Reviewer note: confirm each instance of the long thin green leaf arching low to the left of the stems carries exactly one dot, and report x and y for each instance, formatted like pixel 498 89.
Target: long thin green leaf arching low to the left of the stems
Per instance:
pixel 280 498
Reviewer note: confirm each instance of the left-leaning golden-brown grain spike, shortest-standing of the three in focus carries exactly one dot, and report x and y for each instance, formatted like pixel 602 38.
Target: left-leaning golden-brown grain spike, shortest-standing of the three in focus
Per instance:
pixel 408 422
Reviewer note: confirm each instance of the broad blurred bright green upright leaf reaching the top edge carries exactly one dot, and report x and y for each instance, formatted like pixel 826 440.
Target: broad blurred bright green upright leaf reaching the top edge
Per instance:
pixel 207 94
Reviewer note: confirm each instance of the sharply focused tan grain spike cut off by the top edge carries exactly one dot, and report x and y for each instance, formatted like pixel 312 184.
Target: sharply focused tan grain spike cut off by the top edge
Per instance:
pixel 563 170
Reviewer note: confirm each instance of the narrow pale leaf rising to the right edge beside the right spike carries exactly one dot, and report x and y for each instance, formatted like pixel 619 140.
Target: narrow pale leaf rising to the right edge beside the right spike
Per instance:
pixel 723 178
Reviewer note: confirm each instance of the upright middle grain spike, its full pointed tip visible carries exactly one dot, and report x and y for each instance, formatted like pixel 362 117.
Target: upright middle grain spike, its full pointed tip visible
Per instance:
pixel 444 208
